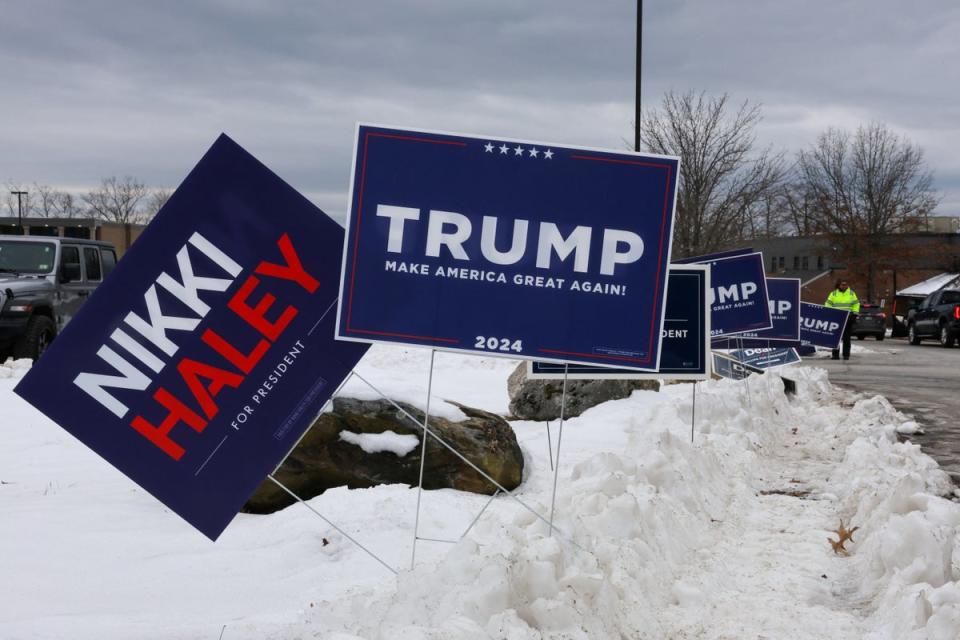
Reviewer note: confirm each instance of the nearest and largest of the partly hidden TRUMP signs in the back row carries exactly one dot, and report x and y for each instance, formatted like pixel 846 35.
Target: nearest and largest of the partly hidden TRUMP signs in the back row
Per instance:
pixel 738 300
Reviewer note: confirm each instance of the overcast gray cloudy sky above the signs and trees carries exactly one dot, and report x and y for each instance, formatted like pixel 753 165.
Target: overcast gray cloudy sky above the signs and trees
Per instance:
pixel 91 89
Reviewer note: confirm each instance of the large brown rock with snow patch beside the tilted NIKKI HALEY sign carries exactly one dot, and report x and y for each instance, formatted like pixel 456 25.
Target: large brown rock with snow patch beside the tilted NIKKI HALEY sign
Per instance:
pixel 322 460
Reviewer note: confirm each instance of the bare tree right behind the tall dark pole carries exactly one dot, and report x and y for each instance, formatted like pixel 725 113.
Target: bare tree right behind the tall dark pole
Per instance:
pixel 725 182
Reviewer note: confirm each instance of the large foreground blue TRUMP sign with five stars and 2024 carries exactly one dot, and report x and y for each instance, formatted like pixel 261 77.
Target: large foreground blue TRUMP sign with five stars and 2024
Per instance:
pixel 525 249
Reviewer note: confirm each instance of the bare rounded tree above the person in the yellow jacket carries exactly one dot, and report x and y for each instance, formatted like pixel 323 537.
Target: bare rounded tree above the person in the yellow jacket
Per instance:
pixel 863 187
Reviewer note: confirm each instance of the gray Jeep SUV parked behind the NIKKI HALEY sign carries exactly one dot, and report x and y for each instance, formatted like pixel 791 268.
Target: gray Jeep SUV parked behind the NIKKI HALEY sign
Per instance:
pixel 43 282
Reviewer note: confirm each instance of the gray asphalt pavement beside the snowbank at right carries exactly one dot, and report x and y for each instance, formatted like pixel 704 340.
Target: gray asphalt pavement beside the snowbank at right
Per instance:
pixel 921 381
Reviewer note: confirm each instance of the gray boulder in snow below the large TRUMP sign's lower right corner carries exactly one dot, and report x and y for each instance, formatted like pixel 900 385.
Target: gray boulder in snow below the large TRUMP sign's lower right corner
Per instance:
pixel 540 399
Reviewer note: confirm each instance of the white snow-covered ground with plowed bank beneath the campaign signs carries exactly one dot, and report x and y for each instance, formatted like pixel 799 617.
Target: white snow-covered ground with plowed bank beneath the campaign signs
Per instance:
pixel 722 538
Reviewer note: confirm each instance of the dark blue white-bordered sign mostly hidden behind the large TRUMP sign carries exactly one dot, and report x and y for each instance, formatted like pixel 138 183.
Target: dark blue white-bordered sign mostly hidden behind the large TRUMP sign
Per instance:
pixel 685 349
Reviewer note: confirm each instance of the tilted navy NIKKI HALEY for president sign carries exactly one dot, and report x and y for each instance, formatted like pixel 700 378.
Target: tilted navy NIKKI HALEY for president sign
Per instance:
pixel 198 364
